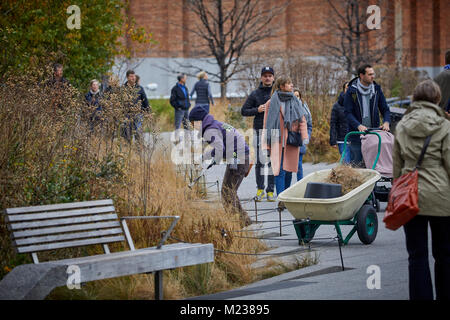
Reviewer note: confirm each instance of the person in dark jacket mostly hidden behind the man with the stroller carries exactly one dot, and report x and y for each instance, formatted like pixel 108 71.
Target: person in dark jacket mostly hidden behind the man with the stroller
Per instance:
pixel 339 126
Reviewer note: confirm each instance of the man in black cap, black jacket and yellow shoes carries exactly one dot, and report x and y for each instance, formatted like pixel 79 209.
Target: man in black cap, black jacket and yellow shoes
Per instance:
pixel 254 107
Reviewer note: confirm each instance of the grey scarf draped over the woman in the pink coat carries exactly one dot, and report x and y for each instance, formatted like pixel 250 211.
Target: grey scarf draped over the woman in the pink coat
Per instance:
pixel 293 111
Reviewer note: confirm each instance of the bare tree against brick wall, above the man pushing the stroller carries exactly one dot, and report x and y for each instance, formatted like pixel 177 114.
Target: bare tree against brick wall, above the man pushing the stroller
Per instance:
pixel 352 45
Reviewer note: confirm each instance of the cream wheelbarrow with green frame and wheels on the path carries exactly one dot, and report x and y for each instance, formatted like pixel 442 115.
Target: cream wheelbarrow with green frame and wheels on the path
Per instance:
pixel 356 208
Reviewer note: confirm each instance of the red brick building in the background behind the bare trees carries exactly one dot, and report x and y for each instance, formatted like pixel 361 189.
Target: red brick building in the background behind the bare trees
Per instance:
pixel 416 32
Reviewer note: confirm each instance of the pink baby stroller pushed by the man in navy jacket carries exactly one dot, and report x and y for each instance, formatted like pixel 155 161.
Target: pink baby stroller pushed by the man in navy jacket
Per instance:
pixel 369 150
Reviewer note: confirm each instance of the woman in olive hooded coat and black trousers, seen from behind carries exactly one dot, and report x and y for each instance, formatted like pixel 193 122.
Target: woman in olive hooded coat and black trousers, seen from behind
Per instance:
pixel 422 119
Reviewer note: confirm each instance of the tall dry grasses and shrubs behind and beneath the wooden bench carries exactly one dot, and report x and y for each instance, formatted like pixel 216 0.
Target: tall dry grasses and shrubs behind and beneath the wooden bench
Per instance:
pixel 53 149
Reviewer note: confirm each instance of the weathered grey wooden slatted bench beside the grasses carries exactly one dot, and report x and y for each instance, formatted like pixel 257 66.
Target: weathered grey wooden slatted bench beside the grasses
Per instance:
pixel 49 227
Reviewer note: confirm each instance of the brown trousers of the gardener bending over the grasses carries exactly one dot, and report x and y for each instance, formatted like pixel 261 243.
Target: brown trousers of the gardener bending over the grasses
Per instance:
pixel 231 182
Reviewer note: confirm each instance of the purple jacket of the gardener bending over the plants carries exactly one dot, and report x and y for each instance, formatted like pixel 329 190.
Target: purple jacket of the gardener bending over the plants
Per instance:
pixel 223 137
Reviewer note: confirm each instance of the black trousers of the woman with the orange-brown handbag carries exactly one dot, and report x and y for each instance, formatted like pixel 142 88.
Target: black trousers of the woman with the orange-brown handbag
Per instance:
pixel 416 232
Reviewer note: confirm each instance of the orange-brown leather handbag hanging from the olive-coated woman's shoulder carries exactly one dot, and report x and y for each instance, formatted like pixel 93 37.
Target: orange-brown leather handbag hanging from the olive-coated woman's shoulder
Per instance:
pixel 403 201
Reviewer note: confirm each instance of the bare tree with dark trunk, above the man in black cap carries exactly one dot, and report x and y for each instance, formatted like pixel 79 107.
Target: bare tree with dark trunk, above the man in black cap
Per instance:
pixel 227 29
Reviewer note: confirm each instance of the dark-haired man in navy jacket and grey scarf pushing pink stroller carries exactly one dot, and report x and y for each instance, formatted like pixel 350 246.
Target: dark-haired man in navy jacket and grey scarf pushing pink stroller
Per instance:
pixel 363 101
